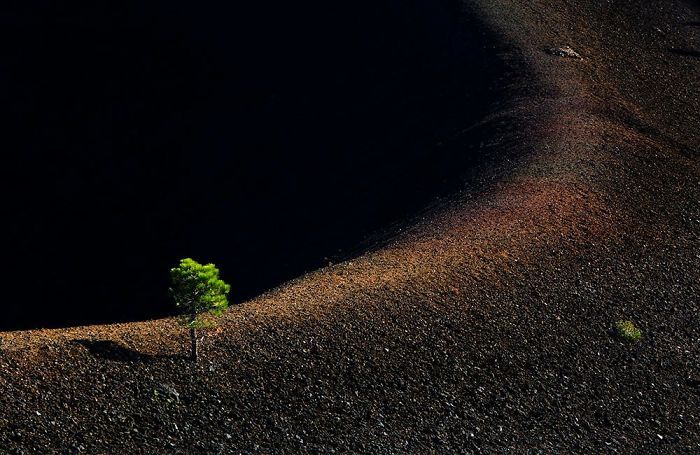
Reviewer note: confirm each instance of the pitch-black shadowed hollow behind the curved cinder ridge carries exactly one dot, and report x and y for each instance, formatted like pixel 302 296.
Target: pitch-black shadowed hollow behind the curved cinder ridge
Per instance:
pixel 263 137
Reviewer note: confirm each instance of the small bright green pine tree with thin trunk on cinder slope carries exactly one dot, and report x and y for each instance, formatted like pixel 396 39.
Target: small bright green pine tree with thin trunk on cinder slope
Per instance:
pixel 199 294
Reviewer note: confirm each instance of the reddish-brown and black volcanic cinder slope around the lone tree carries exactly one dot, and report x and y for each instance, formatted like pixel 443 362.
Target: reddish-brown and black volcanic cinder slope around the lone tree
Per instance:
pixel 485 325
